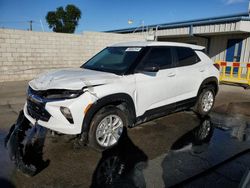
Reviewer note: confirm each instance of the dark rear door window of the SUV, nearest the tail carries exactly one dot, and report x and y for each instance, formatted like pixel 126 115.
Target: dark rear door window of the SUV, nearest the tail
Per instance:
pixel 186 56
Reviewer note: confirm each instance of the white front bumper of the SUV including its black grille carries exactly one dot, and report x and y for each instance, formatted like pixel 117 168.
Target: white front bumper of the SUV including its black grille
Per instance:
pixel 49 114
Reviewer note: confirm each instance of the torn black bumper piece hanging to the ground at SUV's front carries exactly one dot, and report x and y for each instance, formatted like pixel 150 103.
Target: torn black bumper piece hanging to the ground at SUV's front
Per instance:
pixel 25 146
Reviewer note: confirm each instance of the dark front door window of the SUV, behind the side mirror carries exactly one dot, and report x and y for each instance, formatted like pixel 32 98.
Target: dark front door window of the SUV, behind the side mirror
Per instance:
pixel 160 56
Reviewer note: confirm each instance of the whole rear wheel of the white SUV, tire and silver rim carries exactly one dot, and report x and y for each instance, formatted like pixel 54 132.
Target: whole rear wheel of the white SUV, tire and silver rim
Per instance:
pixel 205 101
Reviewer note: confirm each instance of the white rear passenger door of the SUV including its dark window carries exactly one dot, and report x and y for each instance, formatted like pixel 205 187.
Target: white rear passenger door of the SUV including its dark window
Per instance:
pixel 189 69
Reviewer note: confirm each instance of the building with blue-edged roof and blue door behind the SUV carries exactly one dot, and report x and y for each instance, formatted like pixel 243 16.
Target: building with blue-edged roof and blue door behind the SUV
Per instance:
pixel 226 38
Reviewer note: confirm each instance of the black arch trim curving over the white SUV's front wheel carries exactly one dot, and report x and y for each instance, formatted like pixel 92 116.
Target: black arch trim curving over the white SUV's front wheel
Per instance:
pixel 113 99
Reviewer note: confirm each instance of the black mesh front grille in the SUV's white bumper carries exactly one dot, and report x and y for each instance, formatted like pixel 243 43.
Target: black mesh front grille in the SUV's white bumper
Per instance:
pixel 37 110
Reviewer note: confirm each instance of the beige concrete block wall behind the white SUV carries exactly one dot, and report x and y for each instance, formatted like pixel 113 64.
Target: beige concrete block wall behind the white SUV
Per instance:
pixel 24 54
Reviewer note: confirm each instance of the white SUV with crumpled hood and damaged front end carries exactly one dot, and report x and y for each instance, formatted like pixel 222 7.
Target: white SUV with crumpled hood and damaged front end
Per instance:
pixel 122 86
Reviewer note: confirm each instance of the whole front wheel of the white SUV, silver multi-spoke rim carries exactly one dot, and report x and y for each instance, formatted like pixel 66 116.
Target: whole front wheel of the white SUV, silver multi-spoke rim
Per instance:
pixel 107 127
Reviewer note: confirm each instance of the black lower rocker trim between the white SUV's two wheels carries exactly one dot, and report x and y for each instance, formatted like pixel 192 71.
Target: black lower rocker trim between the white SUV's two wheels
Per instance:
pixel 165 110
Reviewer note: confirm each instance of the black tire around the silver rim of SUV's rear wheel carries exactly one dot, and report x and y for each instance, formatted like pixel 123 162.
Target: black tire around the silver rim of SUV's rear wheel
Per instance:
pixel 199 108
